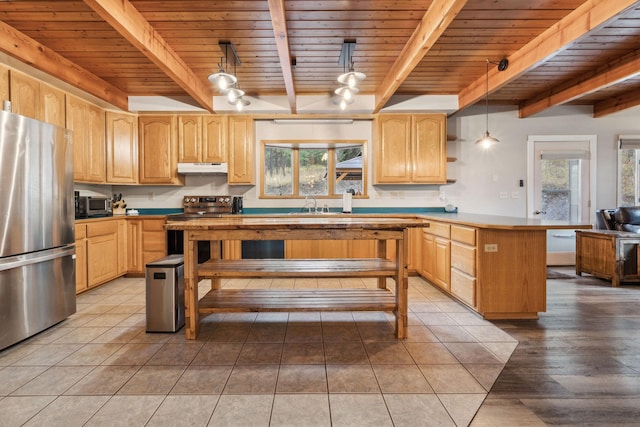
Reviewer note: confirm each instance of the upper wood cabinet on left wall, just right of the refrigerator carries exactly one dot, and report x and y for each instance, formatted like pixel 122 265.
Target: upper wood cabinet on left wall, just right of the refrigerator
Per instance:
pixel 87 122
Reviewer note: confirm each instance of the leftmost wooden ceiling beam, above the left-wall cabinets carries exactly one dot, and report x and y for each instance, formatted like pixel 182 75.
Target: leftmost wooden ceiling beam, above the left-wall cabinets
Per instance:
pixel 29 51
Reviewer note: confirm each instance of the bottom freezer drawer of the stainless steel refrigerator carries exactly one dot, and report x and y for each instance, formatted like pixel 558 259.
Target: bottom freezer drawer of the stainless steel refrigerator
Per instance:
pixel 36 291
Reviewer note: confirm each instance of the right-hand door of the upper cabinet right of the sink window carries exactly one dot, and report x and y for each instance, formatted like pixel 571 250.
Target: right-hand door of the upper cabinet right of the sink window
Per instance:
pixel 429 156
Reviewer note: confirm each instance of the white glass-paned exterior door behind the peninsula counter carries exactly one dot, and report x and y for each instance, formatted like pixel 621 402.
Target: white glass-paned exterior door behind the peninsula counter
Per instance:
pixel 561 175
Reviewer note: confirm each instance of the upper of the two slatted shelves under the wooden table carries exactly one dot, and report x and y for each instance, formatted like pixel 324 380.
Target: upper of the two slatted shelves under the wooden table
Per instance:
pixel 335 267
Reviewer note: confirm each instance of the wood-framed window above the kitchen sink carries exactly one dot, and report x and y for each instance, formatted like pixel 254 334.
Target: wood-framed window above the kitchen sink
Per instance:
pixel 322 169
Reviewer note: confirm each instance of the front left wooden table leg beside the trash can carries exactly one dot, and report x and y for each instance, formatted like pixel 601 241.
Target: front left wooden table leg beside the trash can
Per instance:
pixel 190 287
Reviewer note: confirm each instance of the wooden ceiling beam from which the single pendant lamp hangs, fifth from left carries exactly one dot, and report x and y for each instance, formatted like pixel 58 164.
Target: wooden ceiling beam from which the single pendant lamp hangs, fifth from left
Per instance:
pixel 592 14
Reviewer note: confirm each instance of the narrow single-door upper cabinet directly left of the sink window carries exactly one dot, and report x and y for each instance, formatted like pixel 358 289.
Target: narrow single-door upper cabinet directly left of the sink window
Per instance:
pixel 241 151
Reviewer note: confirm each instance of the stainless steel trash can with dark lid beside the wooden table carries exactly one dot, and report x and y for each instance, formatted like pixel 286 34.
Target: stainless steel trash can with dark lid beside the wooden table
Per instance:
pixel 165 294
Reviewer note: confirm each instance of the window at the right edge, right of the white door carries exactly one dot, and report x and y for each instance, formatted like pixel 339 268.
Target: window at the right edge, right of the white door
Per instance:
pixel 628 173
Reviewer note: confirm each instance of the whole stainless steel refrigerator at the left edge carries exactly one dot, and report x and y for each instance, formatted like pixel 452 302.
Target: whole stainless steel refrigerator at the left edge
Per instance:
pixel 37 250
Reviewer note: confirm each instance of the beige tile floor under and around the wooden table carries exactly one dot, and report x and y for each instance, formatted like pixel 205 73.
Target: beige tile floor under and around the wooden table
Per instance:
pixel 100 367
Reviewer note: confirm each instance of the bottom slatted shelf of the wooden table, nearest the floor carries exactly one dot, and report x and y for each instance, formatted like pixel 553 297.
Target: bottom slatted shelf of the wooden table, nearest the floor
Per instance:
pixel 264 300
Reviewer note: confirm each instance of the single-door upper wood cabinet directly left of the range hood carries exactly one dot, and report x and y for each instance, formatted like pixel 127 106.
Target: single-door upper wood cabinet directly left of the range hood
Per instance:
pixel 158 150
